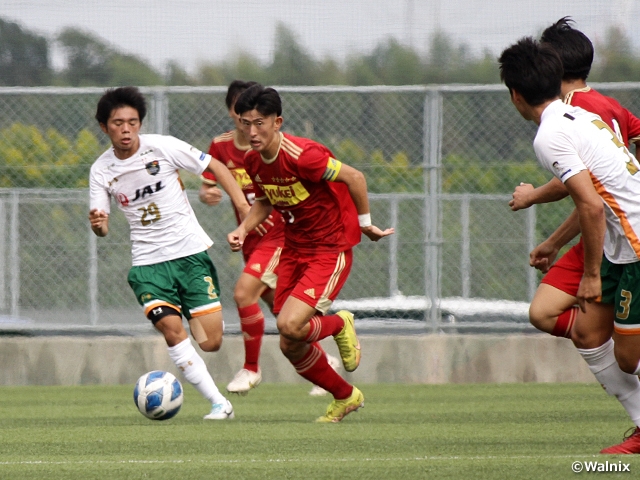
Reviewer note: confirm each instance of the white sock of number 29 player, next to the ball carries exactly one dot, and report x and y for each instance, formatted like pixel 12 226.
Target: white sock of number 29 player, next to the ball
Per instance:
pixel 195 371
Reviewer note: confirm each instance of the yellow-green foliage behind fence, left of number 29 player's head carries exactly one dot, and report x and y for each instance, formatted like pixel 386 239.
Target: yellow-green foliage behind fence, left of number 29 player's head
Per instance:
pixel 31 158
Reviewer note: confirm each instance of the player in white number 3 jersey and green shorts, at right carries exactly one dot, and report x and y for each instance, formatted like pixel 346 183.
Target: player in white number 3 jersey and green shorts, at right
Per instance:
pixel 603 180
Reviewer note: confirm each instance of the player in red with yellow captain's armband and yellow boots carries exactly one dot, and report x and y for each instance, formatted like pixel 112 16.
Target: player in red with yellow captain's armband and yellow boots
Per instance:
pixel 325 207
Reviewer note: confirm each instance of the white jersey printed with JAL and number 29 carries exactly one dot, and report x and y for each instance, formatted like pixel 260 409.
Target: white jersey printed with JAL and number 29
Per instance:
pixel 147 188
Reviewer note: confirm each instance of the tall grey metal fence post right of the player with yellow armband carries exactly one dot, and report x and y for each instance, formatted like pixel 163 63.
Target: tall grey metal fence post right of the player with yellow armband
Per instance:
pixel 431 173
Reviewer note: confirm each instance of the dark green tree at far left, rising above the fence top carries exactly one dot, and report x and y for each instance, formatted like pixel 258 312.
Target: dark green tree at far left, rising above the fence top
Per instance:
pixel 24 56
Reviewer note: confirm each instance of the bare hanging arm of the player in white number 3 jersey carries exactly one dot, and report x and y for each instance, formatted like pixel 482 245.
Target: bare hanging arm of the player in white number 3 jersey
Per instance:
pixel 592 225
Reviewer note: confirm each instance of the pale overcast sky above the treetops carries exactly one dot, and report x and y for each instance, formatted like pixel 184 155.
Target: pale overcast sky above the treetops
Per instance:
pixel 195 31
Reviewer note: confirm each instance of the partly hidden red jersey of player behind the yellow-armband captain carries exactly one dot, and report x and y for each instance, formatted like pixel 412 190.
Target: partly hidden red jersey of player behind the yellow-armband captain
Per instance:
pixel 226 150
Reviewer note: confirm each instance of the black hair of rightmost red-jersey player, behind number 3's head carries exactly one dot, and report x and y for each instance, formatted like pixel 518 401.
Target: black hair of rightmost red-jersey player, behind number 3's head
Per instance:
pixel 573 46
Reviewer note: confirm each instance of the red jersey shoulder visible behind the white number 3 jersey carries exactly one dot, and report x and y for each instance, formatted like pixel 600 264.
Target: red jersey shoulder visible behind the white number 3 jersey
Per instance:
pixel 622 121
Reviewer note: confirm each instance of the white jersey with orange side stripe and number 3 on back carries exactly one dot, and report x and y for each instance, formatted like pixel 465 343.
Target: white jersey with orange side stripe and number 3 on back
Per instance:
pixel 570 140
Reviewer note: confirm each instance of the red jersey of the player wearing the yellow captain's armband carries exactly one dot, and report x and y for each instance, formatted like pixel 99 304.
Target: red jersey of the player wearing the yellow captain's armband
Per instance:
pixel 319 214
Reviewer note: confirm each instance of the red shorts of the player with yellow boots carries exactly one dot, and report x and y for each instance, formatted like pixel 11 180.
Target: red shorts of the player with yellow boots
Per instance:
pixel 316 279
